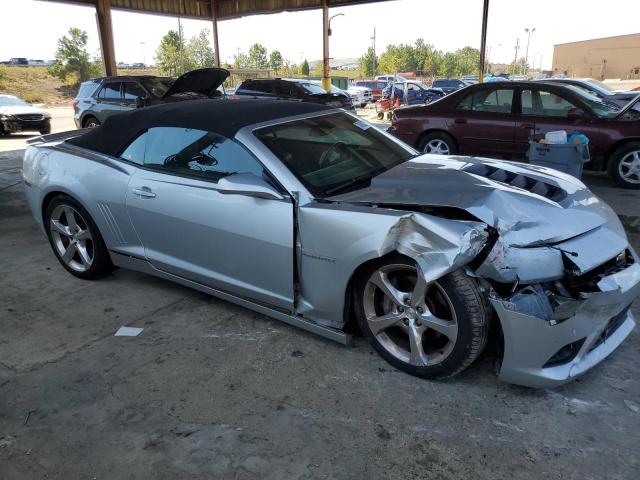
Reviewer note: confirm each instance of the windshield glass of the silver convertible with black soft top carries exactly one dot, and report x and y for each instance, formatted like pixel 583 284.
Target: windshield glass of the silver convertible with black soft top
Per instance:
pixel 334 153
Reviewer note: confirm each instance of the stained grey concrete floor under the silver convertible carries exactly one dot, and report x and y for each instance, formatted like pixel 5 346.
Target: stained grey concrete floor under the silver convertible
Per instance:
pixel 211 390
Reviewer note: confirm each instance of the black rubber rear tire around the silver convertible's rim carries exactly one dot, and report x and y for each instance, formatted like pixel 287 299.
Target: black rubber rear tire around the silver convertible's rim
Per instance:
pixel 101 261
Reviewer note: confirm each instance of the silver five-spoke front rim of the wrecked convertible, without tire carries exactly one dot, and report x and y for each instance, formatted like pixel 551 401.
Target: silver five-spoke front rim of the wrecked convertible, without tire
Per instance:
pixel 413 320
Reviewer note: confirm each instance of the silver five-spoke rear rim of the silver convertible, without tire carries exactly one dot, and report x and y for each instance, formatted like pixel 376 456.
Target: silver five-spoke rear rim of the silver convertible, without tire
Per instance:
pixel 71 238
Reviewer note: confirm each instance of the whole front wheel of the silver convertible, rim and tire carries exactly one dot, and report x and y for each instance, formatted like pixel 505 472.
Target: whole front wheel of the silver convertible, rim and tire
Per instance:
pixel 431 330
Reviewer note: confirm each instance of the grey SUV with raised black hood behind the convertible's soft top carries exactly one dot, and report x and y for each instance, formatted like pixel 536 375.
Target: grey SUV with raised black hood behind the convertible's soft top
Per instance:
pixel 99 98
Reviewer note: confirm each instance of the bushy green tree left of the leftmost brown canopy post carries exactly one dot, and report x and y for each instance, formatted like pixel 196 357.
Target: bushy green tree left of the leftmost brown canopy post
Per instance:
pixel 72 57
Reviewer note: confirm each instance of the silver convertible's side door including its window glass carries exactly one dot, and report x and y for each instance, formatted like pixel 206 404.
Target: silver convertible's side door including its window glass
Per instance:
pixel 191 228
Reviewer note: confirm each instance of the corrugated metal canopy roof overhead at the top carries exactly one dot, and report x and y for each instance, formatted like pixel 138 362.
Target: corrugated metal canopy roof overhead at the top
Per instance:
pixel 201 9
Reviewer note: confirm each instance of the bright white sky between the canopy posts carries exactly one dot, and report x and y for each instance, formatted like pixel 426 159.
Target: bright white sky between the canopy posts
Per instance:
pixel 30 28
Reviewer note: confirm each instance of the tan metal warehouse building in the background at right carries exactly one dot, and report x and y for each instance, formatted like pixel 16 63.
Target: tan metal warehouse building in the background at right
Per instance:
pixel 610 57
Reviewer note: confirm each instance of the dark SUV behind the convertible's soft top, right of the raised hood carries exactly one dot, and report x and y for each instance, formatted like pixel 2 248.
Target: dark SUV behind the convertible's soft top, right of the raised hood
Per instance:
pixel 296 90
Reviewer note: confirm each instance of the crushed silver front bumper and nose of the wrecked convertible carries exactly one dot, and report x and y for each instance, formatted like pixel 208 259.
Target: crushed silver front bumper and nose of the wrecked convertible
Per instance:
pixel 572 310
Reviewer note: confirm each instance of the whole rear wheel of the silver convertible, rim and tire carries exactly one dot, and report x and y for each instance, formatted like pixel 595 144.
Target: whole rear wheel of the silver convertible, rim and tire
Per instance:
pixel 75 239
